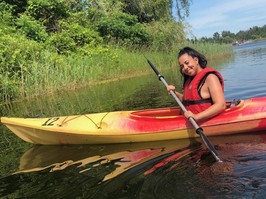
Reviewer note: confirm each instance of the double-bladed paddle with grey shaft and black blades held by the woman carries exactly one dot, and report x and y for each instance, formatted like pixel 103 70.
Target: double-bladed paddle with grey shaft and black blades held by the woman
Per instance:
pixel 199 130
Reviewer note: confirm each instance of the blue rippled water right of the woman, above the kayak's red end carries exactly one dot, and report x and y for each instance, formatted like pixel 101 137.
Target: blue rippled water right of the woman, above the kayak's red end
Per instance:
pixel 245 75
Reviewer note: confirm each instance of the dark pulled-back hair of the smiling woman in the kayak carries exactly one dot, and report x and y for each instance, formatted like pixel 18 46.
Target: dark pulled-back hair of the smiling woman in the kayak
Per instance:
pixel 193 53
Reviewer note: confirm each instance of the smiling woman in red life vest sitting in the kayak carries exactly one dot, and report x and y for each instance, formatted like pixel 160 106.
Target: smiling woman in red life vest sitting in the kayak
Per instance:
pixel 203 86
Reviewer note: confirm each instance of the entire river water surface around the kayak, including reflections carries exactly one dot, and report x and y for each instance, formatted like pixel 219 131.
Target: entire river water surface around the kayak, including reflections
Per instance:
pixel 167 169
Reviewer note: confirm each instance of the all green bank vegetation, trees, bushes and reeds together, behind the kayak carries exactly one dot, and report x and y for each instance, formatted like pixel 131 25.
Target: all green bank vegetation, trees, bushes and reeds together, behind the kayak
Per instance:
pixel 60 44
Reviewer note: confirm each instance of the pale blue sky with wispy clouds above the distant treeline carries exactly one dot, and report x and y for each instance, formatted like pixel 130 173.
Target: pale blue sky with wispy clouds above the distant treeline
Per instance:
pixel 209 16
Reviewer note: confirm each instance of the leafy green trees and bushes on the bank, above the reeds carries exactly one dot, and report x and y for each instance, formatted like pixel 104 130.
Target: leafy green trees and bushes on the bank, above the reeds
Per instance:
pixel 29 30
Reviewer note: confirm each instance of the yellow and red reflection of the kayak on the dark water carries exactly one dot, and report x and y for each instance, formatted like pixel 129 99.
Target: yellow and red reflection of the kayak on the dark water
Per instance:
pixel 124 156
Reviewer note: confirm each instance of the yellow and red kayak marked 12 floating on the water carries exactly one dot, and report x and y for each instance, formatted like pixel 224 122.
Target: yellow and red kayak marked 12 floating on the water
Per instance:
pixel 138 125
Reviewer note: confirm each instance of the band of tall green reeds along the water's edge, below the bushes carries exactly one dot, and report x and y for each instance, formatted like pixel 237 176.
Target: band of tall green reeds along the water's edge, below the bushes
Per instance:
pixel 49 72
